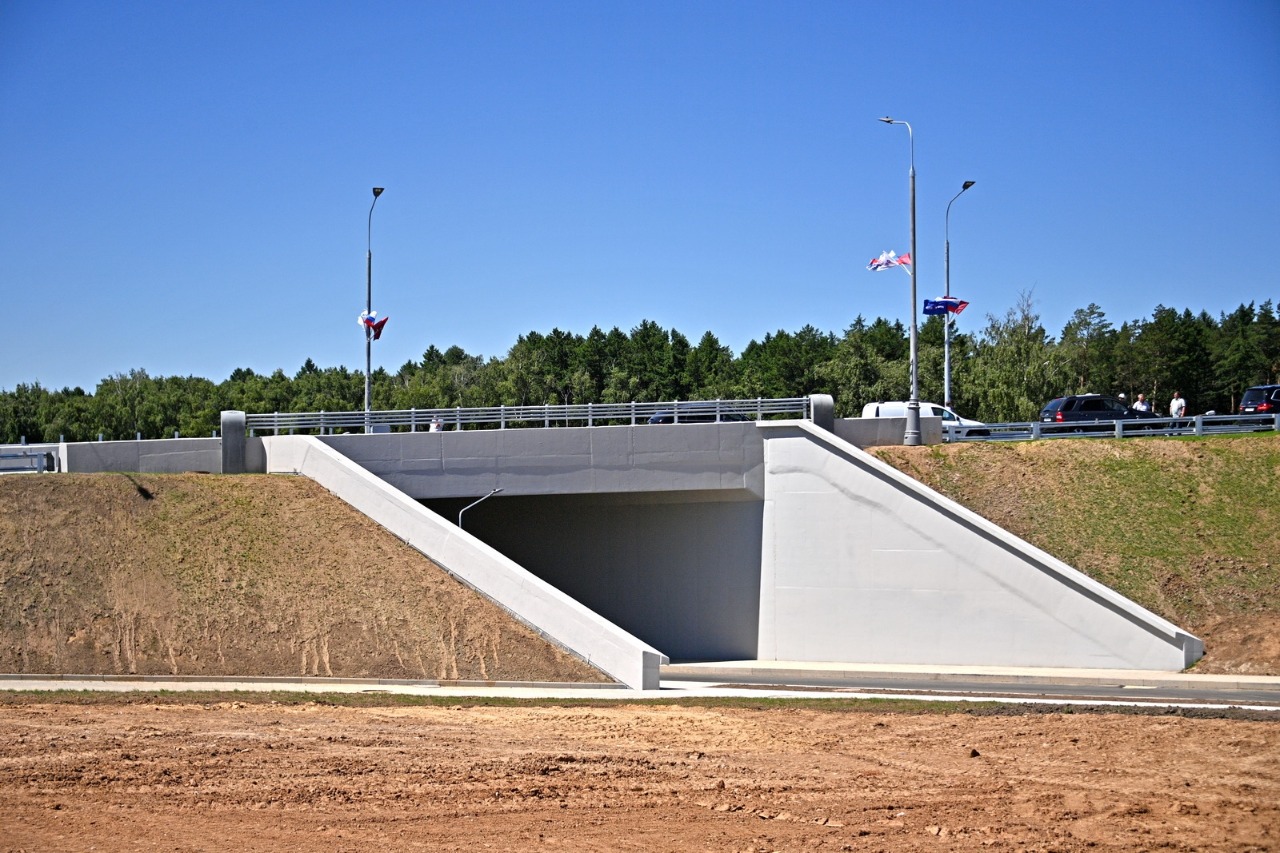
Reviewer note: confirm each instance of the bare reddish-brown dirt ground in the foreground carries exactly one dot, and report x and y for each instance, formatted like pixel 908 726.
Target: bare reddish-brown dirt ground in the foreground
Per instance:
pixel 231 776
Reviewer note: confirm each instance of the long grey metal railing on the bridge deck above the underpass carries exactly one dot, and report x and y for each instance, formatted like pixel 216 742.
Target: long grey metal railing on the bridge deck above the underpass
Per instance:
pixel 527 417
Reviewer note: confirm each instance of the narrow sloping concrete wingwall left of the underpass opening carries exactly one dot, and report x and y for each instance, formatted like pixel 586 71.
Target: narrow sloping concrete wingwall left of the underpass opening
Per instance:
pixel 528 597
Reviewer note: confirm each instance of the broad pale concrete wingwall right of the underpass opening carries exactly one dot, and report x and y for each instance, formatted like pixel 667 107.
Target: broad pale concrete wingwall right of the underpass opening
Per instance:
pixel 865 564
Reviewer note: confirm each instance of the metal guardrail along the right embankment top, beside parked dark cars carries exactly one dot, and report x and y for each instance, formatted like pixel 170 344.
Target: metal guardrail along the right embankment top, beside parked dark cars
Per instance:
pixel 1153 427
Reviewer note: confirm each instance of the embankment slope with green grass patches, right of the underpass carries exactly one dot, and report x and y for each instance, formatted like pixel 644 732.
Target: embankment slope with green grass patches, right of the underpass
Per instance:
pixel 1187 528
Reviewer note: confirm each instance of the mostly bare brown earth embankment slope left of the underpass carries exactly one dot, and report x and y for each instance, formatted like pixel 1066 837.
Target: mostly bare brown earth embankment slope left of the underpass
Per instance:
pixel 237 576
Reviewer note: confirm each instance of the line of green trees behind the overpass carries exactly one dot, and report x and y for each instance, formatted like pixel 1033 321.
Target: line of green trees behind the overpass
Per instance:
pixel 1005 372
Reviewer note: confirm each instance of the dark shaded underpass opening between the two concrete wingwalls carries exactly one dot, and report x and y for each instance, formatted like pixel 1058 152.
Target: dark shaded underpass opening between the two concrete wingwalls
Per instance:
pixel 682 572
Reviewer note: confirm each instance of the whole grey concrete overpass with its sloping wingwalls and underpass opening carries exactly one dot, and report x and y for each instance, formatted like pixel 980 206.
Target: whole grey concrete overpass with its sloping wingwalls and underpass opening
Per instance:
pixel 771 541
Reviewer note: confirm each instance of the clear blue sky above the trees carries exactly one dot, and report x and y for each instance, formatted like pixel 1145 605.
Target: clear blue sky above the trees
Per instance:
pixel 185 188
